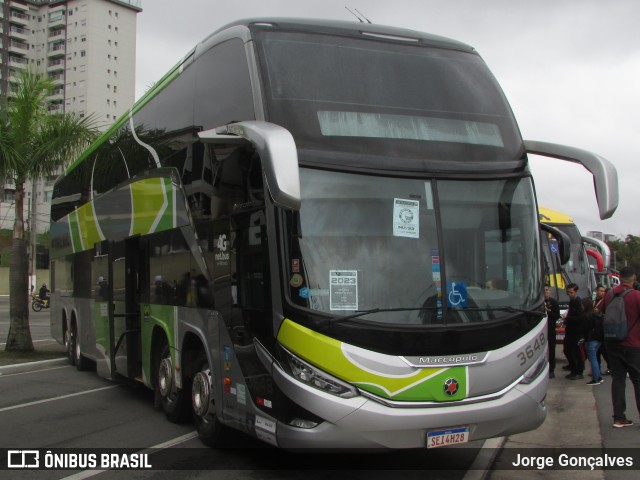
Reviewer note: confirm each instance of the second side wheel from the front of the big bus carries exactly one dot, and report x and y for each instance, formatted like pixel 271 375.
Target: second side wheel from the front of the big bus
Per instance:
pixel 172 400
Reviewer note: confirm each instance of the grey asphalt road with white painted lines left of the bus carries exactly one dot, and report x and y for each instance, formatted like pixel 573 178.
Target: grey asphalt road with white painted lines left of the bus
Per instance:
pixel 60 408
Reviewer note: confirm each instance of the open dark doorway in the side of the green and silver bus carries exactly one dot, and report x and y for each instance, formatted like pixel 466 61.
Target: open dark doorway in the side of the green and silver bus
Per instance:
pixel 130 289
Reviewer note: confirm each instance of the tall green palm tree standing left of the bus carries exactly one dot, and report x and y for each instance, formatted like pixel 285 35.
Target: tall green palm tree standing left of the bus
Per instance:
pixel 33 143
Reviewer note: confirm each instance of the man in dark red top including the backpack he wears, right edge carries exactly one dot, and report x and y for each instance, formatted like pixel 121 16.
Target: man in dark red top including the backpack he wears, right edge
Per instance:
pixel 621 310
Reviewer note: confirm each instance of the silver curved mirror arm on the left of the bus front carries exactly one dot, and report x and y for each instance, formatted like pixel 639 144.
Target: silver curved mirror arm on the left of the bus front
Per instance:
pixel 277 151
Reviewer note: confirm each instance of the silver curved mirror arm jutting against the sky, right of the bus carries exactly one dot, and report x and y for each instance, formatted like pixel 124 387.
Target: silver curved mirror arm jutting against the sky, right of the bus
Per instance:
pixel 605 175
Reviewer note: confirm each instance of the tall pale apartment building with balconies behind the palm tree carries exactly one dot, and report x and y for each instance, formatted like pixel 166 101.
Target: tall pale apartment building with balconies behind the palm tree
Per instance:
pixel 88 49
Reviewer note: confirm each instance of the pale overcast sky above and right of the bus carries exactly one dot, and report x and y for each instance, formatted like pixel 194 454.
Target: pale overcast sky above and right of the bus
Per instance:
pixel 569 68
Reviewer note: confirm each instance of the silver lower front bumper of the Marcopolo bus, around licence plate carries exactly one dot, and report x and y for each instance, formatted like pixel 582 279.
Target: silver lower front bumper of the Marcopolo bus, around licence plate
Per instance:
pixel 364 423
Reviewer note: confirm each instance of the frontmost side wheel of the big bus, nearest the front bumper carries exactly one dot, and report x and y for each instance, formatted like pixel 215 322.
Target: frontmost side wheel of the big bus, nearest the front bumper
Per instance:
pixel 209 427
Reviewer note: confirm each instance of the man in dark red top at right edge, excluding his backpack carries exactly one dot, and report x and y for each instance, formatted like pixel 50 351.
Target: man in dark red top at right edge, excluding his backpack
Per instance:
pixel 624 356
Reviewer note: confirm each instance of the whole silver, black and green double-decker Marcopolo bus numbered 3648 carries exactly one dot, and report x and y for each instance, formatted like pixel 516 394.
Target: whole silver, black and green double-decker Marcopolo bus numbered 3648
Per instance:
pixel 322 234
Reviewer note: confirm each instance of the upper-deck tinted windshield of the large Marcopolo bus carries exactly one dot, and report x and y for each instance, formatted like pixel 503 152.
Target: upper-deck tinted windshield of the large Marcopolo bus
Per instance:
pixel 386 98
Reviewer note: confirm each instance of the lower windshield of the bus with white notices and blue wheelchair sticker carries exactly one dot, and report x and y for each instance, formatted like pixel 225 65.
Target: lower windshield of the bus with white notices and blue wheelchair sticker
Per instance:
pixel 441 251
